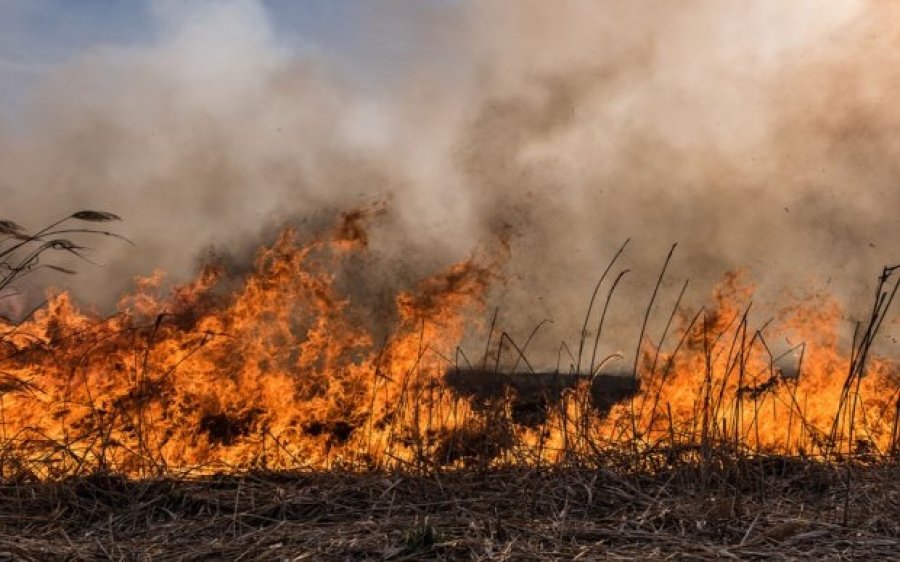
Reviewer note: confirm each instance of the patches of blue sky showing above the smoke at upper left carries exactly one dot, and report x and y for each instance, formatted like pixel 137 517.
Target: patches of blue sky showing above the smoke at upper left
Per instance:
pixel 37 36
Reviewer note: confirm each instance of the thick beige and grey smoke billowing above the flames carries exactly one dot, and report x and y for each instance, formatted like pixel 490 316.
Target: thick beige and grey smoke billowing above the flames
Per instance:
pixel 757 135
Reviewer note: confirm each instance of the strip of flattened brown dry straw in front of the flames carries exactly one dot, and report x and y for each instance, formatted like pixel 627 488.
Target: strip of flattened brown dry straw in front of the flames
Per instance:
pixel 772 508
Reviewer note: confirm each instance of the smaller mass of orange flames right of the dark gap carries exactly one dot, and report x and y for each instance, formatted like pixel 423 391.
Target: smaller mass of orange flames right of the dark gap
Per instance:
pixel 722 386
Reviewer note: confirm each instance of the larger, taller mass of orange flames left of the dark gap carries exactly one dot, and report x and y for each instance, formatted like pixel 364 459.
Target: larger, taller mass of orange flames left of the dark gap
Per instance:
pixel 276 375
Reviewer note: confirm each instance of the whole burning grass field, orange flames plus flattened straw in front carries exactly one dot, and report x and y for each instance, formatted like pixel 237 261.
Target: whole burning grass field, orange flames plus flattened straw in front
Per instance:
pixel 713 444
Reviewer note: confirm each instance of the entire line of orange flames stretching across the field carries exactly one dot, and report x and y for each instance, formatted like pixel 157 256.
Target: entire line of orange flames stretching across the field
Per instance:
pixel 283 373
